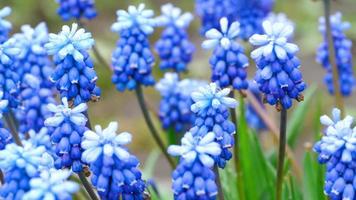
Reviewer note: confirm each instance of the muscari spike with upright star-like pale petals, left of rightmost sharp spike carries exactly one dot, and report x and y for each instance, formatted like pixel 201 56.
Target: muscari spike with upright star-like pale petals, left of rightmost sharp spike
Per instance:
pixel 228 61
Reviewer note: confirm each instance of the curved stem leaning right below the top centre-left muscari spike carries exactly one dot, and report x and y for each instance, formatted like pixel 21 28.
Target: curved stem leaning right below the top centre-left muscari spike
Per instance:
pixel 150 125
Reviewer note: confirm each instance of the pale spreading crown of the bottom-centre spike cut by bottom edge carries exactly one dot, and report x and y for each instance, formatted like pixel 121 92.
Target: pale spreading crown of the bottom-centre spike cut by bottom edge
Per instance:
pixel 204 148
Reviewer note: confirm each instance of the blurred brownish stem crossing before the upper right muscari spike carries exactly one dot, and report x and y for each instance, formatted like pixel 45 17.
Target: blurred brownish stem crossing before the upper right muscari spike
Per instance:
pixel 339 102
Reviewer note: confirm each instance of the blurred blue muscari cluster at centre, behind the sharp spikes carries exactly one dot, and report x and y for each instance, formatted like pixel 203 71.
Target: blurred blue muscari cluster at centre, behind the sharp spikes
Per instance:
pixel 174 109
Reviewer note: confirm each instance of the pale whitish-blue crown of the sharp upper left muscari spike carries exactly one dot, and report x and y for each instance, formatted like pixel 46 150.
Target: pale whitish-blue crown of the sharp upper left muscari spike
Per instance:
pixel 70 41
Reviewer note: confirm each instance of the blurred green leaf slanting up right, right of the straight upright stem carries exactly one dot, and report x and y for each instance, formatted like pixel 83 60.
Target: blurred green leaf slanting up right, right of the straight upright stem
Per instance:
pixel 295 124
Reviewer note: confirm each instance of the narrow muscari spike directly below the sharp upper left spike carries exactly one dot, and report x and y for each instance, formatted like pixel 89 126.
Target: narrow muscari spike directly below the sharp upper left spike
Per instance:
pixel 69 125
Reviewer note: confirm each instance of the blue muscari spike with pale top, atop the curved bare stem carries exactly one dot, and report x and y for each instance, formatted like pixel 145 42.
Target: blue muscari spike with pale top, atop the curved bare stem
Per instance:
pixel 132 59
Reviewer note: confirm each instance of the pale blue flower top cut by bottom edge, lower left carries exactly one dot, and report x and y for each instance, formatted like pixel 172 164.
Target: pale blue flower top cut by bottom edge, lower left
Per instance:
pixel 52 184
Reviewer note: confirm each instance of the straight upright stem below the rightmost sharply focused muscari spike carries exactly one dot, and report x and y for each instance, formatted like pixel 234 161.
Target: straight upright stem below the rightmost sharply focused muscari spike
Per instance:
pixel 281 153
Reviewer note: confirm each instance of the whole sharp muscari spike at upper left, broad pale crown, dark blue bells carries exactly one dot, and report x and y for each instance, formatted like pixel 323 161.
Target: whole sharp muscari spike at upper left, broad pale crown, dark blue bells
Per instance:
pixel 74 76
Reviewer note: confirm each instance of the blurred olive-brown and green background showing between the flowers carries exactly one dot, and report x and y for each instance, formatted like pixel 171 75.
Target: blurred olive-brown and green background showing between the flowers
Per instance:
pixel 123 107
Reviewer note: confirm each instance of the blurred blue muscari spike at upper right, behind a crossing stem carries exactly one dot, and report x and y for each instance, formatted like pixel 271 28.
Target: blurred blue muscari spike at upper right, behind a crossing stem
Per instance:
pixel 343 49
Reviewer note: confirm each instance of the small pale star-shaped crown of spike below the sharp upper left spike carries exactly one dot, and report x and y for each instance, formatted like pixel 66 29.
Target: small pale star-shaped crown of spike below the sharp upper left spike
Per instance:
pixel 63 112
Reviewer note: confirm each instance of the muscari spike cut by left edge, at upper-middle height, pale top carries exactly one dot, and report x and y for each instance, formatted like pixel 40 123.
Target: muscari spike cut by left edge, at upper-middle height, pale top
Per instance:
pixel 9 79
